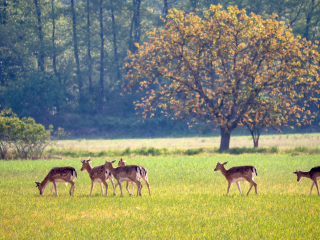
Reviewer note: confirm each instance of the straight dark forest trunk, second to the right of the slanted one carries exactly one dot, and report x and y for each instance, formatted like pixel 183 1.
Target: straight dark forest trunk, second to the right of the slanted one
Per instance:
pixel 101 90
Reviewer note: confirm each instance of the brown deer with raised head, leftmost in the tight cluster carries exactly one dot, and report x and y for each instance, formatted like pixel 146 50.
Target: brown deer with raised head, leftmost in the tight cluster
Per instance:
pixel 97 174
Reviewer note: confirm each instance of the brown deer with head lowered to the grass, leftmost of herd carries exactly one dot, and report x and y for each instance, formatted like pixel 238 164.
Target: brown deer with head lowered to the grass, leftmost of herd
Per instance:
pixel 58 174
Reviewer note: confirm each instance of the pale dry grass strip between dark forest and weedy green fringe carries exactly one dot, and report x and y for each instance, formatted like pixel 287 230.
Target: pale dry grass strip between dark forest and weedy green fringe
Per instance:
pixel 283 141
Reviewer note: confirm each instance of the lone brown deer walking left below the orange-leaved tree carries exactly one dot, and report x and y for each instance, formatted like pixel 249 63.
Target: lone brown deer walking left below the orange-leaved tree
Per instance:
pixel 237 174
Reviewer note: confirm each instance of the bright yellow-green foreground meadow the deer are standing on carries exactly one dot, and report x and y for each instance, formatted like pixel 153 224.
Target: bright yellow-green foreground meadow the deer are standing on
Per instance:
pixel 188 201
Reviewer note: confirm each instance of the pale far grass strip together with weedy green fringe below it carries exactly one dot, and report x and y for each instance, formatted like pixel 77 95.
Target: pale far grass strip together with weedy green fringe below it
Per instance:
pixel 81 148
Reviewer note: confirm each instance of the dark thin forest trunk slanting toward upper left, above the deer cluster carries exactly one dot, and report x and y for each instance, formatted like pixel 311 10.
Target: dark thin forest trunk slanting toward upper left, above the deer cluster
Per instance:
pixel 76 53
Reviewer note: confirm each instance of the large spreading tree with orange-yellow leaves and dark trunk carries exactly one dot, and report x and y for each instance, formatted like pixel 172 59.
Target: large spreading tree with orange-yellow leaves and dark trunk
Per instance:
pixel 214 68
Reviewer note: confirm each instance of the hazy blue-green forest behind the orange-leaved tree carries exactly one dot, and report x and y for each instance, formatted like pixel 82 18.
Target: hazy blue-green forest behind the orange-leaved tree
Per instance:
pixel 62 61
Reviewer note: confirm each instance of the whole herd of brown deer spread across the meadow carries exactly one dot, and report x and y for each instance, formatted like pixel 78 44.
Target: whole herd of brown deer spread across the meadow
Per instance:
pixel 134 174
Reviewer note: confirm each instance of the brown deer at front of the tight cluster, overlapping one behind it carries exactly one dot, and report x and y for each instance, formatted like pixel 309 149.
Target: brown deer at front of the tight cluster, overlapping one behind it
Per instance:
pixel 126 173
